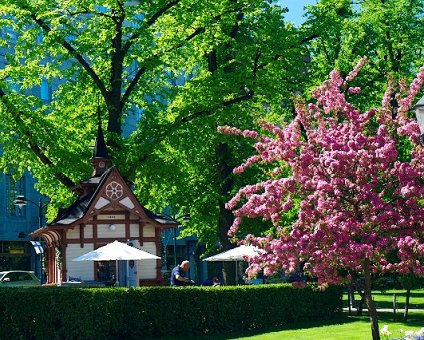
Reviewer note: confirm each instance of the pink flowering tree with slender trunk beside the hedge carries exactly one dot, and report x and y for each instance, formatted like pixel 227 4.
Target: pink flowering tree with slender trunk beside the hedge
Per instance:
pixel 355 179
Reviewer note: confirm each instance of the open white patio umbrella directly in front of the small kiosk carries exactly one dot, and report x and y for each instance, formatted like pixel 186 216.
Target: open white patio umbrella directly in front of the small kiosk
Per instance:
pixel 116 251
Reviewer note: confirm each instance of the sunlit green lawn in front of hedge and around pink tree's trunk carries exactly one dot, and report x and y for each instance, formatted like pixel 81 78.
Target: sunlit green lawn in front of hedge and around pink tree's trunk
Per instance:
pixel 346 327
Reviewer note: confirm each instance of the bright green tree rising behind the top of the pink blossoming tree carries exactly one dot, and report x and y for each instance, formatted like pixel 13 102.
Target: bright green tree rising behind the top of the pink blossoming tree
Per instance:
pixel 389 32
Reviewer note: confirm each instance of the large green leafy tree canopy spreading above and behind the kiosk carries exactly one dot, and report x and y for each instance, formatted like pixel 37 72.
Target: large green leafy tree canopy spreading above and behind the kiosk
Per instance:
pixel 183 66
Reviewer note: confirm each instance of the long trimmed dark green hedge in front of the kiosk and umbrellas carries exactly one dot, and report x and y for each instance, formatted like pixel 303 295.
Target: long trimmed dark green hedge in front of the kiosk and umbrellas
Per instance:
pixel 134 313
